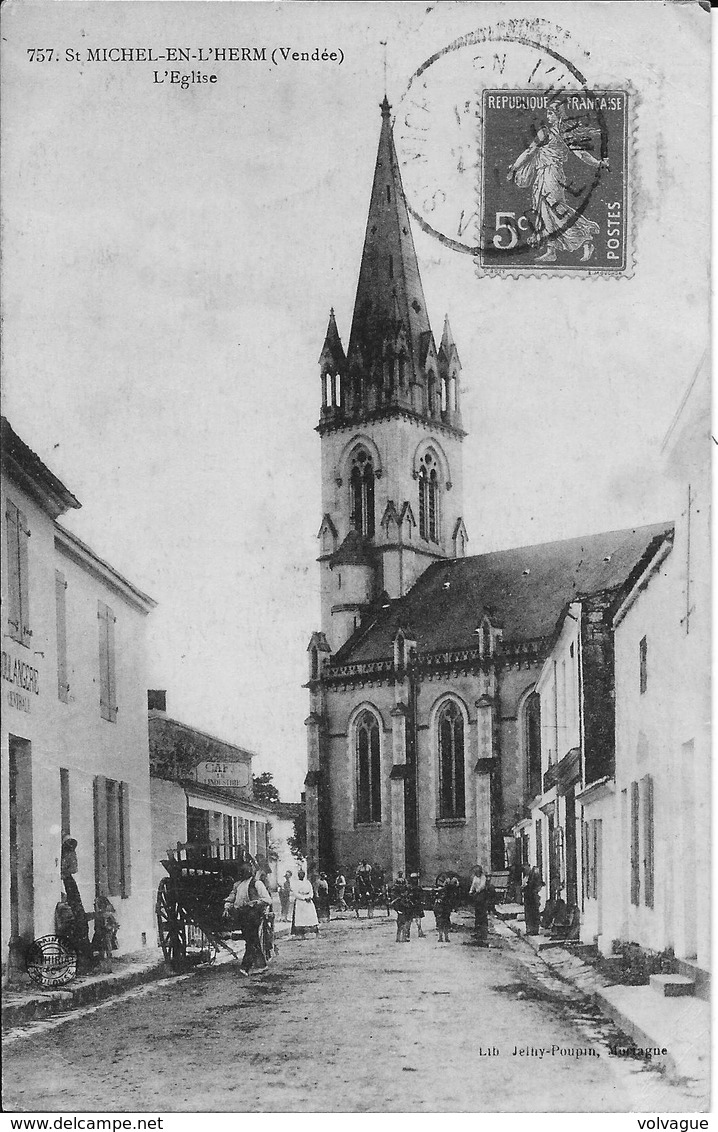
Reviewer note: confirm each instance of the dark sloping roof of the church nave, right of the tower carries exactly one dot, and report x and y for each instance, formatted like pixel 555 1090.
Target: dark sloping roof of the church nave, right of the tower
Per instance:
pixel 524 591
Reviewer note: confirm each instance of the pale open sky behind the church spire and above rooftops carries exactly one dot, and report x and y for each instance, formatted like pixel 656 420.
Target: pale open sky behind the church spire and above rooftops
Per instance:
pixel 170 258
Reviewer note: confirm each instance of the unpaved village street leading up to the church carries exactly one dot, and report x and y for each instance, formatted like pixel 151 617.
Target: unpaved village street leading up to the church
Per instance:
pixel 348 1023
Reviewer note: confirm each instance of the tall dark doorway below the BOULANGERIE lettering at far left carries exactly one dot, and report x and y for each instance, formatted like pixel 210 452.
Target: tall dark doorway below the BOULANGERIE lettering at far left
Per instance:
pixel 21 830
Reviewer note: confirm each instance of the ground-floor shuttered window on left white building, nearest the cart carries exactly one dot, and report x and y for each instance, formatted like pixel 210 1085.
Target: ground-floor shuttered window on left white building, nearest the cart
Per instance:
pixel 113 837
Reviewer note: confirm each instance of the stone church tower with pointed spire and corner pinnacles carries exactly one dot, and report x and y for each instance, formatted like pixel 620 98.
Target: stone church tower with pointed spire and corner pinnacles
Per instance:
pixel 390 425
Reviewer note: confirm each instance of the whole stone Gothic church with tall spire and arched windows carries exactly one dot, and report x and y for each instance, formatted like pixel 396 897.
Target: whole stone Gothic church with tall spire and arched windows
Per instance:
pixel 424 731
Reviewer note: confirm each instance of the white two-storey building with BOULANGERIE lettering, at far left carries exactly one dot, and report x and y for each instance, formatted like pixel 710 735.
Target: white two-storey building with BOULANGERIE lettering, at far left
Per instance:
pixel 75 757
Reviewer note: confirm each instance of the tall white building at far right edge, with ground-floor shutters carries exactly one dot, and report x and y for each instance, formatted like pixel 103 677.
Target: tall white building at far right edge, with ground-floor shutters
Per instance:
pixel 663 717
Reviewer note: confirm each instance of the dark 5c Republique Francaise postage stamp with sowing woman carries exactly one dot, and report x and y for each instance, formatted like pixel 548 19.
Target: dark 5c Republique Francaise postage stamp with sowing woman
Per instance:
pixel 554 182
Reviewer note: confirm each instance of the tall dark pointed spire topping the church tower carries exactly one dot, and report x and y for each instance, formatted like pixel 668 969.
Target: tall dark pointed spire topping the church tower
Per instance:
pixel 390 297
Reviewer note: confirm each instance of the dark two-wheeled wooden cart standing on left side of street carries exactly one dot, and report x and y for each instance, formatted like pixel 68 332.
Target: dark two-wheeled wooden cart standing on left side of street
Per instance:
pixel 192 924
